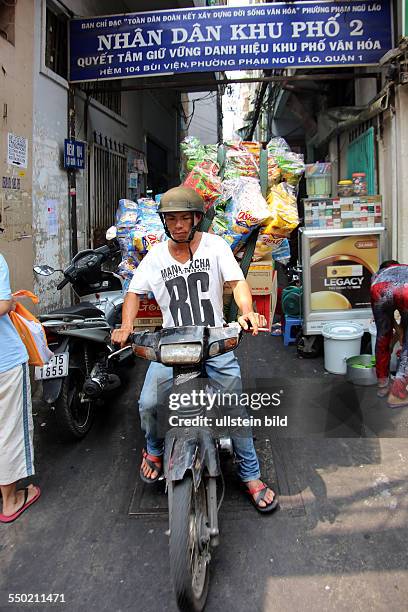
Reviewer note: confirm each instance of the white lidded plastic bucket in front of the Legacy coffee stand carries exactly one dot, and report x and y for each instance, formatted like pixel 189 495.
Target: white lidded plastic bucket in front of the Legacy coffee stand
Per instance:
pixel 341 341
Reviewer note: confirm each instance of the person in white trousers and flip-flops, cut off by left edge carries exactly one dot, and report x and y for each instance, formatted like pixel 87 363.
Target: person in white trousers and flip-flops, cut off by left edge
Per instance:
pixel 16 421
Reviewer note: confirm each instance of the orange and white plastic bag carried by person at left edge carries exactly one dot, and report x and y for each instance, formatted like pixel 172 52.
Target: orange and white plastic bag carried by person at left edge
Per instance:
pixel 30 331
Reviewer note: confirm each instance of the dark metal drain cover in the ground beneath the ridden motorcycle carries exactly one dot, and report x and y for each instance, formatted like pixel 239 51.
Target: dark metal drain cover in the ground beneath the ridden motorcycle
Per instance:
pixel 151 500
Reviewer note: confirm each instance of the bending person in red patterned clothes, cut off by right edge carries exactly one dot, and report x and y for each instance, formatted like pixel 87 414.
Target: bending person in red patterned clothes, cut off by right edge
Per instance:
pixel 389 292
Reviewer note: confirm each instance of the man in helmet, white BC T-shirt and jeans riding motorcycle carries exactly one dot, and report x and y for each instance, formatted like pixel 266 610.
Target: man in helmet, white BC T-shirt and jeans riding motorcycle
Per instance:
pixel 186 274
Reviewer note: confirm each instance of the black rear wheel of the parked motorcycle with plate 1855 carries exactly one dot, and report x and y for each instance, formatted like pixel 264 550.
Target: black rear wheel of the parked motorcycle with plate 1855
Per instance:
pixel 74 416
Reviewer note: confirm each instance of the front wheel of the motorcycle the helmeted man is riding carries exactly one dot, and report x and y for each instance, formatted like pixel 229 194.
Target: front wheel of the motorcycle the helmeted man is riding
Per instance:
pixel 189 546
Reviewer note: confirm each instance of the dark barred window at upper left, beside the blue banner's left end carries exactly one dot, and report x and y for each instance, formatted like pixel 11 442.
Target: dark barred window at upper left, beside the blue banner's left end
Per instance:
pixel 56 41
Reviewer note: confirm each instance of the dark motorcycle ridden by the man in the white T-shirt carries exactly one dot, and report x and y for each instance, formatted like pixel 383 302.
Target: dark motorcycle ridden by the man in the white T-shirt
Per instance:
pixel 191 459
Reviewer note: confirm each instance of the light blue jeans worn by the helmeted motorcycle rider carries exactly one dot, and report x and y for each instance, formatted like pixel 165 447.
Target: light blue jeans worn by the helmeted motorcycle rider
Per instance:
pixel 225 372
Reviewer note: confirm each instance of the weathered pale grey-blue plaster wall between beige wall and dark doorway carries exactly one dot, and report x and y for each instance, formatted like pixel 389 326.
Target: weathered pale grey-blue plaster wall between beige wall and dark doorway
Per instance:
pixel 50 186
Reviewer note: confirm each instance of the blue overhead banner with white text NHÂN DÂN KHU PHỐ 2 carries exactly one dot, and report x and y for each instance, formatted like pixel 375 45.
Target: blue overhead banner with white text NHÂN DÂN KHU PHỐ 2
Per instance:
pixel 256 37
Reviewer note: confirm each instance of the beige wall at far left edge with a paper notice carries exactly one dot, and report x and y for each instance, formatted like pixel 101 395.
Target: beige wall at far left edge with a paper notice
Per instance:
pixel 16 82
